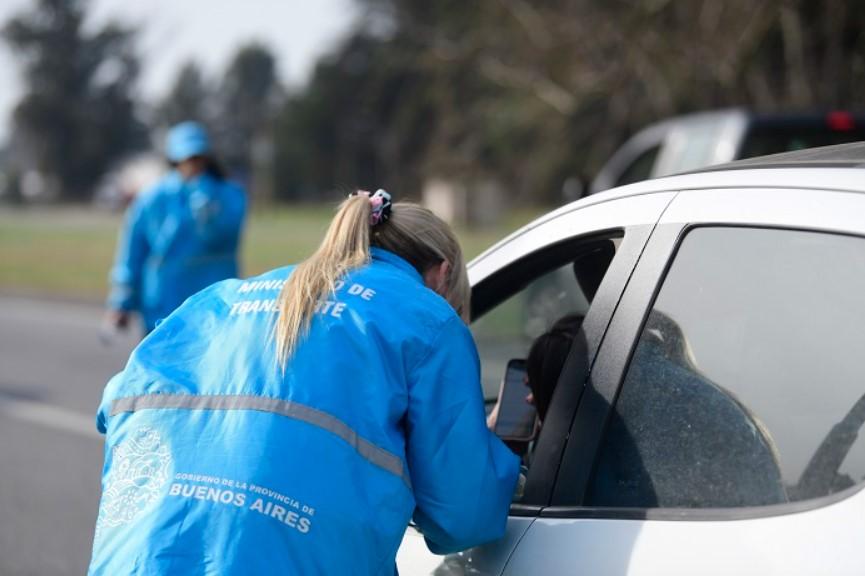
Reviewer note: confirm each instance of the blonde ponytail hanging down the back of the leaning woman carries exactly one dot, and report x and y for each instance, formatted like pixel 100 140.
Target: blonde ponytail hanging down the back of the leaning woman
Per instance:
pixel 345 246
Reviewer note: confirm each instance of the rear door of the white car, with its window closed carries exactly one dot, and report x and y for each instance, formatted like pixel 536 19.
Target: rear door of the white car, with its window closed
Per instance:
pixel 719 430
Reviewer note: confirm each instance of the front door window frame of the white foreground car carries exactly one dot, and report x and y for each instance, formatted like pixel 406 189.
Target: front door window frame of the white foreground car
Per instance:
pixel 570 229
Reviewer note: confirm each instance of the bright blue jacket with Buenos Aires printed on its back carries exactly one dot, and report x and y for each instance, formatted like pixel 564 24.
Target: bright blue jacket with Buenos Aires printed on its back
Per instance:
pixel 217 462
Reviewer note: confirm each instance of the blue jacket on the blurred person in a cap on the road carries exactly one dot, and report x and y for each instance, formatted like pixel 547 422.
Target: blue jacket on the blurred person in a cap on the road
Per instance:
pixel 178 238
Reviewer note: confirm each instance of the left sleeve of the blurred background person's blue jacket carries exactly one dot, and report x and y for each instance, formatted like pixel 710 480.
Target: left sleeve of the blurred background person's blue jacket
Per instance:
pixel 132 251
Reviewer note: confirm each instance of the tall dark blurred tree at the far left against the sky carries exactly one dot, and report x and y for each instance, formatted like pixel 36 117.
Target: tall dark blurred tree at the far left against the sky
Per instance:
pixel 78 114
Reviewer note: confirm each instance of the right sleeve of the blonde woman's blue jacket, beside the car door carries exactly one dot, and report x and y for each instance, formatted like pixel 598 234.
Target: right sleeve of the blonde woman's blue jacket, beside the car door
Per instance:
pixel 462 475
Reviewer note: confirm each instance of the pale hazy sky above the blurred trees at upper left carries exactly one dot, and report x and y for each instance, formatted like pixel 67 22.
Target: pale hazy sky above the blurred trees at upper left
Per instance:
pixel 208 31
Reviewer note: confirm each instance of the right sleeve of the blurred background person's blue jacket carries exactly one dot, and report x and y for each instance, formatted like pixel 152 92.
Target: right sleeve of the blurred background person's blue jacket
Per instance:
pixel 218 208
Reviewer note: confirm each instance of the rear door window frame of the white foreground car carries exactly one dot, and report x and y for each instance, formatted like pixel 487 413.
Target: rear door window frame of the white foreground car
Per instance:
pixel 684 214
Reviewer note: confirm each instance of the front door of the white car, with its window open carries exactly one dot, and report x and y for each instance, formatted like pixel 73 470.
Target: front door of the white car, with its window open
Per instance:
pixel 574 261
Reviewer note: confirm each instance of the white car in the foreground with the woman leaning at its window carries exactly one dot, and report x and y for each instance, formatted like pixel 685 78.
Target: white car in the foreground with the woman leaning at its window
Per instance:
pixel 707 420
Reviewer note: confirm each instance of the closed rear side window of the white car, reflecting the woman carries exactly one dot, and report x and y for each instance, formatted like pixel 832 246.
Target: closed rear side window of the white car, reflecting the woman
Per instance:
pixel 747 385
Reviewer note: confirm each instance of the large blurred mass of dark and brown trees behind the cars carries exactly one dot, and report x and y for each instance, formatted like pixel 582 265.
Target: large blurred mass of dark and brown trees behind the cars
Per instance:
pixel 529 93
